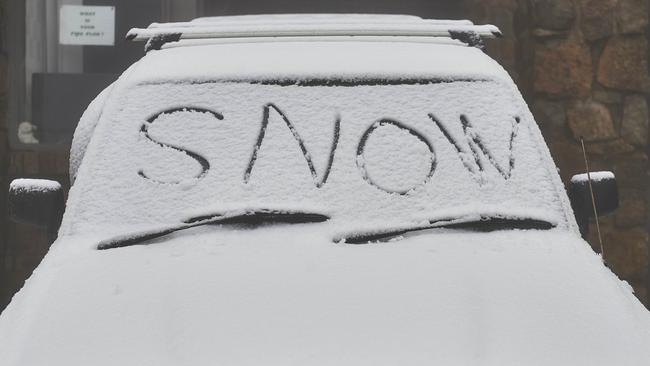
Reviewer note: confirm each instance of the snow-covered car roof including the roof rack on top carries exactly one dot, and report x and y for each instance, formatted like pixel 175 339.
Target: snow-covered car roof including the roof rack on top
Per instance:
pixel 315 46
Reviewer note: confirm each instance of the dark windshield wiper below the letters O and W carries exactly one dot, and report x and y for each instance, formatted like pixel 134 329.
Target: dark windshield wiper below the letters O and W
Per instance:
pixel 481 224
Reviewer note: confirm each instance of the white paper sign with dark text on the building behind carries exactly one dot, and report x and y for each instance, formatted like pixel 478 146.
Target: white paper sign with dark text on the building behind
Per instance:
pixel 87 25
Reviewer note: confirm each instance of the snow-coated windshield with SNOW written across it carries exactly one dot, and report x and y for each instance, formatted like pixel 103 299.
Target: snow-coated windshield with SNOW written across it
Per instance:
pixel 364 153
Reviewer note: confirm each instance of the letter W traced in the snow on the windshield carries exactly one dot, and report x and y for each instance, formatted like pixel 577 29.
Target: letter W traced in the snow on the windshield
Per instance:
pixel 473 152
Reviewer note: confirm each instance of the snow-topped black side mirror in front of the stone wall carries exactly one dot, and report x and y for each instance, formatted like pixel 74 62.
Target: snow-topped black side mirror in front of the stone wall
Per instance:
pixel 605 197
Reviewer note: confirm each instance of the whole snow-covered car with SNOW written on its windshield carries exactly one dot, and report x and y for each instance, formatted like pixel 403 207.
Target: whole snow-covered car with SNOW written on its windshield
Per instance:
pixel 317 190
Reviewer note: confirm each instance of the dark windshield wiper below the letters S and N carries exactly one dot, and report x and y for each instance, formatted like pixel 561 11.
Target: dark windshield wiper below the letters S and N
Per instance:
pixel 248 217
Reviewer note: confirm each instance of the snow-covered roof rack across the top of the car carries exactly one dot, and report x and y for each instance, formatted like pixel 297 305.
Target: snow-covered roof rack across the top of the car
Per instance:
pixel 312 25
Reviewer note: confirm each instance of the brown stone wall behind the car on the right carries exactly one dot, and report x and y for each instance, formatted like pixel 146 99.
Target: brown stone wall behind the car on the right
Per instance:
pixel 582 66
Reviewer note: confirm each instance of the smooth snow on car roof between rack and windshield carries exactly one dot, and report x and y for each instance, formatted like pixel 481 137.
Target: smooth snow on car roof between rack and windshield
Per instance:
pixel 304 59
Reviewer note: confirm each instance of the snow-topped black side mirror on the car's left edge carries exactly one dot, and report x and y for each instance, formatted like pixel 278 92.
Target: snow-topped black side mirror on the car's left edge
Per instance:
pixel 36 201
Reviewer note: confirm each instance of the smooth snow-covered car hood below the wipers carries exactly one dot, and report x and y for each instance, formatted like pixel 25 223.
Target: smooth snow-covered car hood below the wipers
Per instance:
pixel 285 296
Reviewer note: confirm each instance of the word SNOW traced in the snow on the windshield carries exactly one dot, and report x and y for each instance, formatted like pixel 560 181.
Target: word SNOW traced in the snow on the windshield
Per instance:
pixel 470 148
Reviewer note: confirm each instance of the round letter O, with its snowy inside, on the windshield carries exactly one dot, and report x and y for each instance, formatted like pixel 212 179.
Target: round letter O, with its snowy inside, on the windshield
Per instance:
pixel 395 158
